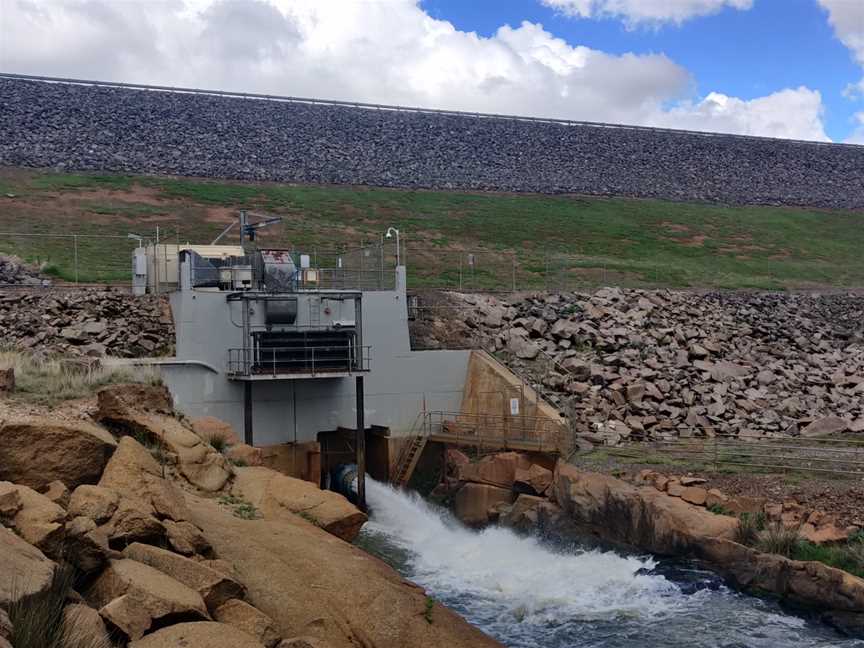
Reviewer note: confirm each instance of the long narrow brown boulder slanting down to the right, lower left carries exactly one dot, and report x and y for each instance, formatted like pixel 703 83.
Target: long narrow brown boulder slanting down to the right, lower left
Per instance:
pixel 213 586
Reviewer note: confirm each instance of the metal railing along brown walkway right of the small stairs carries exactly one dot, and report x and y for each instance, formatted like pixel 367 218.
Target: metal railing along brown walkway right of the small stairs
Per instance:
pixel 518 432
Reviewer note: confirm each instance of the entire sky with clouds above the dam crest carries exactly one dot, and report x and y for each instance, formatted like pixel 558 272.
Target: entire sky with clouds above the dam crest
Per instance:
pixel 779 68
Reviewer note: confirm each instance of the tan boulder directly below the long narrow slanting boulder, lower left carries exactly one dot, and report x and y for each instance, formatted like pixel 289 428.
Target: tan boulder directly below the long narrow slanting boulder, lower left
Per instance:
pixel 133 596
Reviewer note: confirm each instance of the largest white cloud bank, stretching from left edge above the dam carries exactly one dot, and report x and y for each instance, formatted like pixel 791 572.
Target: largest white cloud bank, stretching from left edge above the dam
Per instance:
pixel 379 52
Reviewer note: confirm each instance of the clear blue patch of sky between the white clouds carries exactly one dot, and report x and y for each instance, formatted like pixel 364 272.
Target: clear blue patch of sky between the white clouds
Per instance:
pixel 776 44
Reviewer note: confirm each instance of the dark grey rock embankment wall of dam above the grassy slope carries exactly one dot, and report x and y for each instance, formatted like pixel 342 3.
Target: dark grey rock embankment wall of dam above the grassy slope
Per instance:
pixel 89 127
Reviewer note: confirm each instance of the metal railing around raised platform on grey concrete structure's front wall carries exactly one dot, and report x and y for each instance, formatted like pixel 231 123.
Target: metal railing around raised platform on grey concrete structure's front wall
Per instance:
pixel 299 360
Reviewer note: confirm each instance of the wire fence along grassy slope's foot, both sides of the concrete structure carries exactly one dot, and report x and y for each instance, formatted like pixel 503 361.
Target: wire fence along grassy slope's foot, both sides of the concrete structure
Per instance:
pixel 103 258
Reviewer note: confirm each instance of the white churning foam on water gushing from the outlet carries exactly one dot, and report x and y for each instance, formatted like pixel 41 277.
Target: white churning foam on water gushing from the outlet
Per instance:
pixel 517 573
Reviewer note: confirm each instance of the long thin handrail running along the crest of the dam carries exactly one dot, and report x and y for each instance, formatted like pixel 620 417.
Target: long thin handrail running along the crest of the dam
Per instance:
pixel 398 108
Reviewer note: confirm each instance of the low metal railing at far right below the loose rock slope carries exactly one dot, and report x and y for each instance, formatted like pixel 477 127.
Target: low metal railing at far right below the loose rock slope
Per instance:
pixel 834 455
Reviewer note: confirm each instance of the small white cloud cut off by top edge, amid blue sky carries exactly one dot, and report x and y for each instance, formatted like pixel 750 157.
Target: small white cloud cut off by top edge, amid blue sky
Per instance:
pixel 636 12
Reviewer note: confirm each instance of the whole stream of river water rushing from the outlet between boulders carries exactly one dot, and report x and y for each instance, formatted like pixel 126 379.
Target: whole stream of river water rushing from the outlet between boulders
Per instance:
pixel 531 594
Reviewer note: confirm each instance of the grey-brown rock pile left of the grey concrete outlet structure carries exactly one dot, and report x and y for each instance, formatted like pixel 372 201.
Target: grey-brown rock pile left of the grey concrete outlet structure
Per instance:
pixel 83 322
